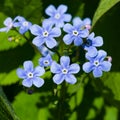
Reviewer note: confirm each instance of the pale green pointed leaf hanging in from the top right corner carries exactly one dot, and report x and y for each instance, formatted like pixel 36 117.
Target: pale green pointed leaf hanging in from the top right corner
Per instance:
pixel 104 6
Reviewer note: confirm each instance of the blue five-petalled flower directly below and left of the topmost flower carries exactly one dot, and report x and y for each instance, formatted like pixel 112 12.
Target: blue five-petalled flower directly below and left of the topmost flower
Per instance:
pixel 45 34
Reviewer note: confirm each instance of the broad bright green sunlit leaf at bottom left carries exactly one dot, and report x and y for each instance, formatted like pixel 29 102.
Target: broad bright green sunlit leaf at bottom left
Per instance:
pixel 25 106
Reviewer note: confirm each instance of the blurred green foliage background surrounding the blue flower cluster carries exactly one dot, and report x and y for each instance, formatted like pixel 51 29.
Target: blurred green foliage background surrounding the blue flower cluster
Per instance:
pixel 89 98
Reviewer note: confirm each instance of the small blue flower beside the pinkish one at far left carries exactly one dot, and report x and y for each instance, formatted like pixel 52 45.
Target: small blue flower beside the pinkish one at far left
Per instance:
pixel 23 24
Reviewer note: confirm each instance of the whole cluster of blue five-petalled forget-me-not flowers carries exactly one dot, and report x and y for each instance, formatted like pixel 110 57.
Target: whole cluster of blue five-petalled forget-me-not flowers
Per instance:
pixel 76 33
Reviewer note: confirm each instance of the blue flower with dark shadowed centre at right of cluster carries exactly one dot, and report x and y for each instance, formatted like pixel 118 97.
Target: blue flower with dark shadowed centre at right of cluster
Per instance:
pixel 91 43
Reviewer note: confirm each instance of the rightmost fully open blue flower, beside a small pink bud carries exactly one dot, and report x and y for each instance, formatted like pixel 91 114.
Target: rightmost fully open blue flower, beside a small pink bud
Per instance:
pixel 97 64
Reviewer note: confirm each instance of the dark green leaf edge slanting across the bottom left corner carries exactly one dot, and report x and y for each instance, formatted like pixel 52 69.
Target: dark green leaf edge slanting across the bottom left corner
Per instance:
pixel 6 111
